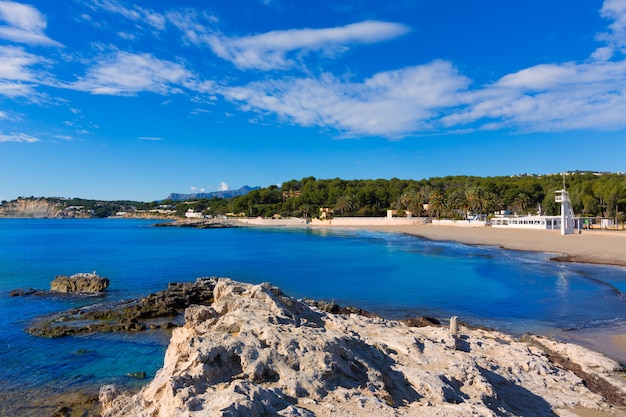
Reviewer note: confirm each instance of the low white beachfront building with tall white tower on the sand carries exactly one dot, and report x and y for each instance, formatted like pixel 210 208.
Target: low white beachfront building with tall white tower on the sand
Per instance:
pixel 566 222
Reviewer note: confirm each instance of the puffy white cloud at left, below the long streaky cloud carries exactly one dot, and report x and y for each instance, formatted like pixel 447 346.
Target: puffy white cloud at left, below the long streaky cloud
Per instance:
pixel 128 74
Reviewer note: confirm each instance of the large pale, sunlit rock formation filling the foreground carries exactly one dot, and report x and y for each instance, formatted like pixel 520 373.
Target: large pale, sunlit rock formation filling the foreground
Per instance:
pixel 256 352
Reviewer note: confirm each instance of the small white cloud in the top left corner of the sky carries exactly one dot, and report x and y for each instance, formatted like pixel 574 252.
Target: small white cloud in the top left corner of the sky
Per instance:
pixel 24 24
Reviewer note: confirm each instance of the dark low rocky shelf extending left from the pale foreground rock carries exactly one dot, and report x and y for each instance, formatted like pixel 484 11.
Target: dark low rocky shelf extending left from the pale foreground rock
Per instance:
pixel 155 311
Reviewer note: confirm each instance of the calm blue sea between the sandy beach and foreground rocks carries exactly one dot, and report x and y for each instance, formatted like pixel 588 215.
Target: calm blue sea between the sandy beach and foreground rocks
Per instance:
pixel 391 274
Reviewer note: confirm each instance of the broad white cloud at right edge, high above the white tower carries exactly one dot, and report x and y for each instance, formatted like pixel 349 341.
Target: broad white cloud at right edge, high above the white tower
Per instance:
pixel 550 98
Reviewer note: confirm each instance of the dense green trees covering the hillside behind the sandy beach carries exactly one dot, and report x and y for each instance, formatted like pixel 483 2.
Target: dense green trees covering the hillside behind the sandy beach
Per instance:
pixel 592 195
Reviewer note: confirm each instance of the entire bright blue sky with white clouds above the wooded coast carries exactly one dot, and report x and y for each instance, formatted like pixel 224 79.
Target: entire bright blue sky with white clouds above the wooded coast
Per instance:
pixel 111 99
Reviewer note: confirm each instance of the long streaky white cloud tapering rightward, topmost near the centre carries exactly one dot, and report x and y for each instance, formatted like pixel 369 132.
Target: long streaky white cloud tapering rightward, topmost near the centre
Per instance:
pixel 270 50
